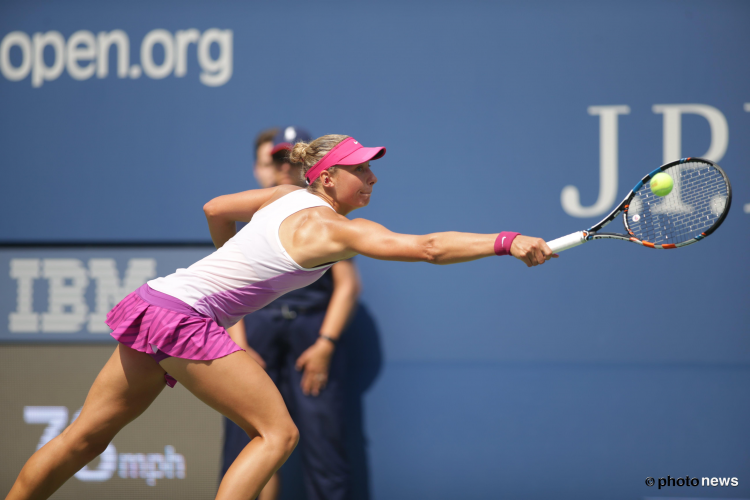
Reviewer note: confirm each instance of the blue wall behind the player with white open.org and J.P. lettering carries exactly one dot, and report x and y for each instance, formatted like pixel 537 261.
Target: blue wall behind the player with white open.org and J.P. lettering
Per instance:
pixel 577 379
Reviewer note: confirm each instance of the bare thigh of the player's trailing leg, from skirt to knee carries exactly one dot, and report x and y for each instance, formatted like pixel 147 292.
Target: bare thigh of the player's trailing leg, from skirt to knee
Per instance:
pixel 124 388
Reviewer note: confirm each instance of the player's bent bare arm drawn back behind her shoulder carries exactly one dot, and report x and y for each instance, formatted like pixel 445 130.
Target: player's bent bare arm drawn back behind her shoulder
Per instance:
pixel 224 211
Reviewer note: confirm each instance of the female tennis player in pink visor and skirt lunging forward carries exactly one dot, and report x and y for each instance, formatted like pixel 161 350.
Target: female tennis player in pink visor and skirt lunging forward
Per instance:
pixel 173 328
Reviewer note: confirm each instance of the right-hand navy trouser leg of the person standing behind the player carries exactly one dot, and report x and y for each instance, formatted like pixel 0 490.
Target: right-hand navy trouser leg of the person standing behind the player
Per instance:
pixel 320 418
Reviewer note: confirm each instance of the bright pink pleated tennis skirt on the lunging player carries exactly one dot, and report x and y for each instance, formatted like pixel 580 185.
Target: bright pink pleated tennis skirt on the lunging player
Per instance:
pixel 164 326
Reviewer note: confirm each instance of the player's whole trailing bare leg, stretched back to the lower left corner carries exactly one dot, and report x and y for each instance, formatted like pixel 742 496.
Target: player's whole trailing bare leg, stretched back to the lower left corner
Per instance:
pixel 125 387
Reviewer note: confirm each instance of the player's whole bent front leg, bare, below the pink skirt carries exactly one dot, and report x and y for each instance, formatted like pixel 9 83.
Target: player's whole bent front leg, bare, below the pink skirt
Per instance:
pixel 240 389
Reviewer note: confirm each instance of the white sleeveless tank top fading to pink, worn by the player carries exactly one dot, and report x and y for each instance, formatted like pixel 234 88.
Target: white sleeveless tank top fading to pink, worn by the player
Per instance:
pixel 250 271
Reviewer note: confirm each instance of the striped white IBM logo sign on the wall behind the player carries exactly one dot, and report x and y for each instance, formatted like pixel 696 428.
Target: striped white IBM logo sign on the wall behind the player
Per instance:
pixel 67 282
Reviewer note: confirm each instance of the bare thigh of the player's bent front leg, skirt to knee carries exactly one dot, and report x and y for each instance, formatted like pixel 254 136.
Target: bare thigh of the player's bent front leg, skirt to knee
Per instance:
pixel 237 387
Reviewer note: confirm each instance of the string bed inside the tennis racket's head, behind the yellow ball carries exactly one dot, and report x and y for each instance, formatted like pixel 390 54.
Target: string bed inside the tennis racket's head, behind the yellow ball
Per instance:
pixel 696 202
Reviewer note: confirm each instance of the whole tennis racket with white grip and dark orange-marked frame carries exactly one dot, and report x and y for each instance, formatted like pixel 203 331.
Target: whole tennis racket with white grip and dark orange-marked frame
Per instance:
pixel 696 207
